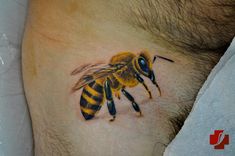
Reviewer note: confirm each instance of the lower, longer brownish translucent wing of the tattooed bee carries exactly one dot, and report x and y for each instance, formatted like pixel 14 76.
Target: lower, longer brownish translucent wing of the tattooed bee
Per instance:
pixel 96 73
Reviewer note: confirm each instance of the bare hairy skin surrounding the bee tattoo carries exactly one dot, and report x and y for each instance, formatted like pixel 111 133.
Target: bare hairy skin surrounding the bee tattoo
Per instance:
pixel 63 35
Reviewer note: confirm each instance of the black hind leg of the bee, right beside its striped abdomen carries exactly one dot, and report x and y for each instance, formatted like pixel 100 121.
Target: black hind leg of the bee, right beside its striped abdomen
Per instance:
pixel 109 98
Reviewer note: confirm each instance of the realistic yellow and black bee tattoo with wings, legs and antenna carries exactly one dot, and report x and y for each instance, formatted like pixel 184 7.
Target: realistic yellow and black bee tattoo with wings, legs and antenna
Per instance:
pixel 101 83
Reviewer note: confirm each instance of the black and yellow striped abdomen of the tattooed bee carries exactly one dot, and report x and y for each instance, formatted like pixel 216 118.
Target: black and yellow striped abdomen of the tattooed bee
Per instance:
pixel 91 99
